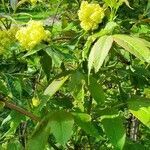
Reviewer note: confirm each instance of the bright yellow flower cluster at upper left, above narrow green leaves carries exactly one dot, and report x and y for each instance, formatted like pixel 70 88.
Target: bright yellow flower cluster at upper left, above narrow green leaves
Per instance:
pixel 32 34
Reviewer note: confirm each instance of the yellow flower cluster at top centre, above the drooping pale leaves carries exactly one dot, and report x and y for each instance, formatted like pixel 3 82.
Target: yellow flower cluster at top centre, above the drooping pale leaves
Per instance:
pixel 90 15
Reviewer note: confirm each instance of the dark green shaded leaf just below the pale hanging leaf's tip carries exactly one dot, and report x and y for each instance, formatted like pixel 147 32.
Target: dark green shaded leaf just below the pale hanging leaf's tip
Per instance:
pixel 96 91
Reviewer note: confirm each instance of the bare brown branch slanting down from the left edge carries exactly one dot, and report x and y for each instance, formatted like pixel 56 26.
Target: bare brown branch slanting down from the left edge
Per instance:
pixel 20 110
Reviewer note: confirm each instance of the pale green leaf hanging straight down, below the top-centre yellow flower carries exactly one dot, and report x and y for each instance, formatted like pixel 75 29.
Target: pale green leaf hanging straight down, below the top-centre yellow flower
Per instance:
pixel 99 52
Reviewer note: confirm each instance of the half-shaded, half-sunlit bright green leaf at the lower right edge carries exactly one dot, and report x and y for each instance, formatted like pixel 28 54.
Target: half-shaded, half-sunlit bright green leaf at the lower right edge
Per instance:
pixel 140 108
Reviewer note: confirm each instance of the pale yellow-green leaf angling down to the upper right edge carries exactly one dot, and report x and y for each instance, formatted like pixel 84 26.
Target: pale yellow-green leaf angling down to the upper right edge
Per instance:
pixel 135 46
